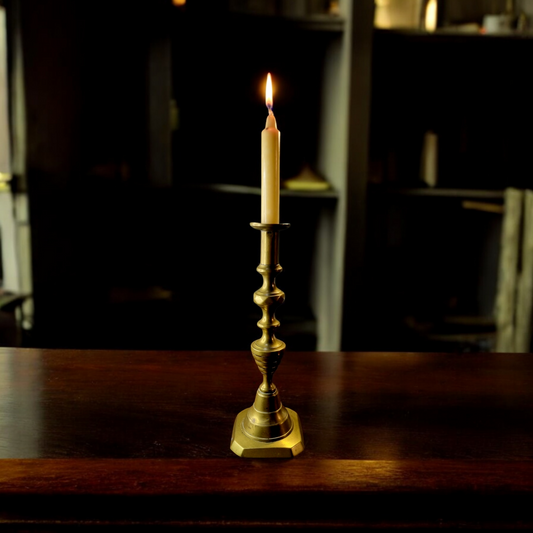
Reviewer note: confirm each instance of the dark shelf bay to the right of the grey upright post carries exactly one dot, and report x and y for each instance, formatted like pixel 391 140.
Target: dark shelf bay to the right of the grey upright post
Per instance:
pixel 433 264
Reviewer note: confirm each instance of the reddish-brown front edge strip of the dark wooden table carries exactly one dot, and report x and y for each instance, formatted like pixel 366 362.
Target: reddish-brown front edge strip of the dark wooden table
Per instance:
pixel 238 476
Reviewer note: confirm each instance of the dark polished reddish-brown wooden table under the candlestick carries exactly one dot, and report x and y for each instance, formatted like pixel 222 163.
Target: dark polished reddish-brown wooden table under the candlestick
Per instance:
pixel 112 438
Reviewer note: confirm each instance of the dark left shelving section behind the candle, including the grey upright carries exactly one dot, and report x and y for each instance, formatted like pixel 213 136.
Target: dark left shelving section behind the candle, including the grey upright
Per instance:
pixel 127 198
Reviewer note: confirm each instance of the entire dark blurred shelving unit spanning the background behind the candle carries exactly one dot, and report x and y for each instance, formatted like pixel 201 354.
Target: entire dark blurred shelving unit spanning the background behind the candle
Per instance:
pixel 143 169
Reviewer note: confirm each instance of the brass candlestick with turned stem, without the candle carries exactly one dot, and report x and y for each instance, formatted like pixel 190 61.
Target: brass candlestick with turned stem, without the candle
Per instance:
pixel 267 428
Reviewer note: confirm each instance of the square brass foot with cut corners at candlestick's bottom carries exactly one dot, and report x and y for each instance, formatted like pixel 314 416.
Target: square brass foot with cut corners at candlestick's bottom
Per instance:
pixel 289 446
